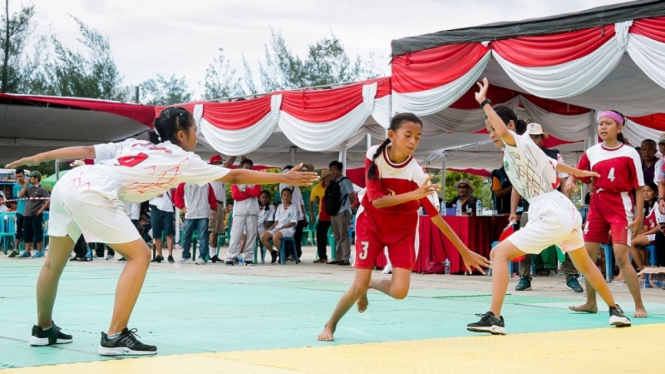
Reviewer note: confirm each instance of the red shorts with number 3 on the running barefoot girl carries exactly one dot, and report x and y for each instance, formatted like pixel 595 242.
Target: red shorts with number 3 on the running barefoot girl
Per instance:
pixel 398 232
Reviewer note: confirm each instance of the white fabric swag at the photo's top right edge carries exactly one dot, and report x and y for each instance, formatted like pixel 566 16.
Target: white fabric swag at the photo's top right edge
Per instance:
pixel 649 55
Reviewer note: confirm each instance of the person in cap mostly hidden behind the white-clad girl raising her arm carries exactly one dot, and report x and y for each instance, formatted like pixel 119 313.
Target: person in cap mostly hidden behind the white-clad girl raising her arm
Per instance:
pixel 538 136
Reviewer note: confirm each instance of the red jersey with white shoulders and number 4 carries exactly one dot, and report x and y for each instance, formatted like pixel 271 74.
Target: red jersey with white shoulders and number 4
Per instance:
pixel 620 168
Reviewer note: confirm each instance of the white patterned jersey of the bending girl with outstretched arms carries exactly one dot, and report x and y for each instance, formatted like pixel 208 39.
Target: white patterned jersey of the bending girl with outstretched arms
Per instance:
pixel 143 170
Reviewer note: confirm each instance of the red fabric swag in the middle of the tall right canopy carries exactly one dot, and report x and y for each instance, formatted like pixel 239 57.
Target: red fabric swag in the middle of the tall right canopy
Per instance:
pixel 554 49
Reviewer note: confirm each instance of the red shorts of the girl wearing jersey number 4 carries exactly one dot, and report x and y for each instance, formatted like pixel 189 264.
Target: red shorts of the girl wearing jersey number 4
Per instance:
pixel 609 212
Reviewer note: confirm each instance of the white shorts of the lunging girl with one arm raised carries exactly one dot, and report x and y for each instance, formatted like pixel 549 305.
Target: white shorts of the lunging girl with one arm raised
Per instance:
pixel 553 219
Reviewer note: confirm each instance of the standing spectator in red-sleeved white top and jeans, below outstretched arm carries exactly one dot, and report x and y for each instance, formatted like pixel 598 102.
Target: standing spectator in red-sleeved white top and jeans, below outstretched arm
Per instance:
pixel 196 201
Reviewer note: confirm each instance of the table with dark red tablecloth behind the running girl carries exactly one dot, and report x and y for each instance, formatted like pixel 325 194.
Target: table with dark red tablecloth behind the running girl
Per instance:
pixel 477 233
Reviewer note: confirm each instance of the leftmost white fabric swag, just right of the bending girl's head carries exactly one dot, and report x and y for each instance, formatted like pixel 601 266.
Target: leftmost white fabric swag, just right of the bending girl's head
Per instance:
pixel 243 141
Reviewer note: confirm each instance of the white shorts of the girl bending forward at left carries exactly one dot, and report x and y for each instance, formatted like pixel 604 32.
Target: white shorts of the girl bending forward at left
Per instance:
pixel 85 200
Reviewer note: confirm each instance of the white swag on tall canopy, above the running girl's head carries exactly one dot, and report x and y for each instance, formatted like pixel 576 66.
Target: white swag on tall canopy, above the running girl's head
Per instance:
pixel 436 99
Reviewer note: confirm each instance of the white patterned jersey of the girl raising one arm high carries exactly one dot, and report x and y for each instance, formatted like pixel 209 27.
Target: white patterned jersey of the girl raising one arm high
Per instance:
pixel 529 169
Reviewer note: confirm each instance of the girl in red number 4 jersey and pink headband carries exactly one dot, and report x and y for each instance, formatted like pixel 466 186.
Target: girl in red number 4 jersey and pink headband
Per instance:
pixel 612 205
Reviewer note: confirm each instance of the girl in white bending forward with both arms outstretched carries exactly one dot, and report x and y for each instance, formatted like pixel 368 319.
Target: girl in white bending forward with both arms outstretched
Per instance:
pixel 89 200
